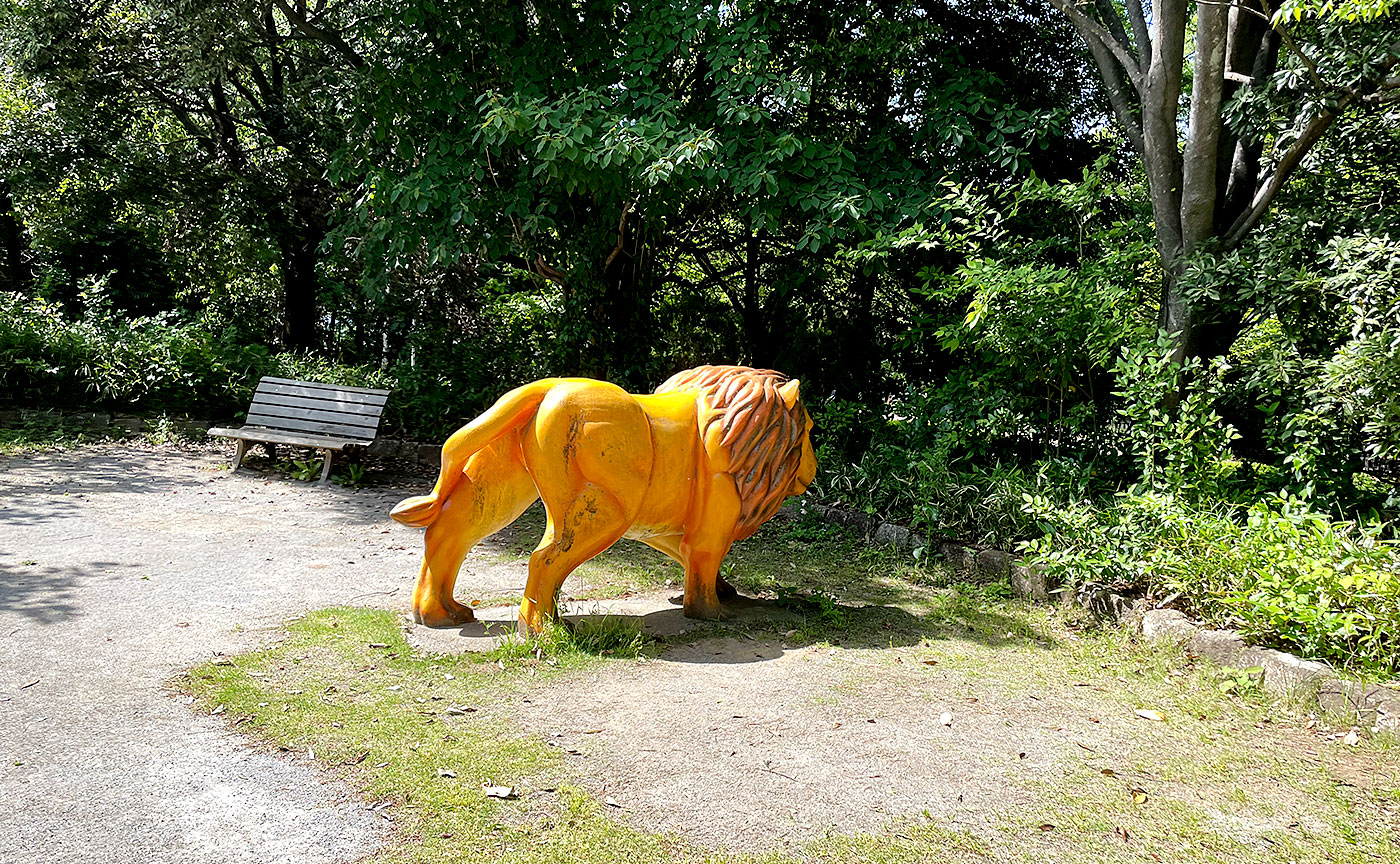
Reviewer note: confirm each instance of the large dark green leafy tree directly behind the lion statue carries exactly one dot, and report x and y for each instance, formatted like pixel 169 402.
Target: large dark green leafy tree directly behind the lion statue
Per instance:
pixel 619 152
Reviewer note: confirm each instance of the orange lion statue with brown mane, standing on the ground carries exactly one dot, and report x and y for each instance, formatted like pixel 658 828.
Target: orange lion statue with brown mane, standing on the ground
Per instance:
pixel 689 470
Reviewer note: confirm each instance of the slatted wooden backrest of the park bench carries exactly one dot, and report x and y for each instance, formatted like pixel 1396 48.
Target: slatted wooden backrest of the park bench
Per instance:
pixel 318 410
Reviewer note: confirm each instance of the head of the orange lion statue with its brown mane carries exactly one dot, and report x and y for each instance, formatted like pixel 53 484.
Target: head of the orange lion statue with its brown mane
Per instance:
pixel 764 426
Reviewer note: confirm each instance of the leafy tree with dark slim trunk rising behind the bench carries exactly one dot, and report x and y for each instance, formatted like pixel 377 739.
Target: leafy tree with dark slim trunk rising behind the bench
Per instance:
pixel 234 96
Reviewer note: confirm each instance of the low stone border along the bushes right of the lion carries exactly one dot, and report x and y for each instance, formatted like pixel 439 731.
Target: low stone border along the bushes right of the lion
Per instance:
pixel 1283 674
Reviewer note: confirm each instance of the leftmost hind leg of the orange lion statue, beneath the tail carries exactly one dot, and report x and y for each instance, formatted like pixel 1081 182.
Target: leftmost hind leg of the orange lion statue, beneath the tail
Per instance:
pixel 496 491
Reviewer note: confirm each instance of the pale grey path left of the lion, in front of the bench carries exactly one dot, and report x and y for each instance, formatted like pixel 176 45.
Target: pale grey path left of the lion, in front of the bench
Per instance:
pixel 121 568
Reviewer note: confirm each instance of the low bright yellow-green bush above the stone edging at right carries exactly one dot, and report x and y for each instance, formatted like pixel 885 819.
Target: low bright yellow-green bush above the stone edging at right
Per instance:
pixel 1277 571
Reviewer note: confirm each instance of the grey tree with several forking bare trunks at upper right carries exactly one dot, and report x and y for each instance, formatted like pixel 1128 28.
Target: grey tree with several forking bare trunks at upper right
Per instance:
pixel 1265 88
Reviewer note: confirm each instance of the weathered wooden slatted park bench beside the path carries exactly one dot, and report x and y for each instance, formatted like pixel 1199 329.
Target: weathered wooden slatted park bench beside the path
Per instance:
pixel 306 414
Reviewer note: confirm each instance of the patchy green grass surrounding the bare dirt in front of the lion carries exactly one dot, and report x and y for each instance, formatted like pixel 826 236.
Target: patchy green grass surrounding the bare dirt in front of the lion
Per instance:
pixel 1228 776
